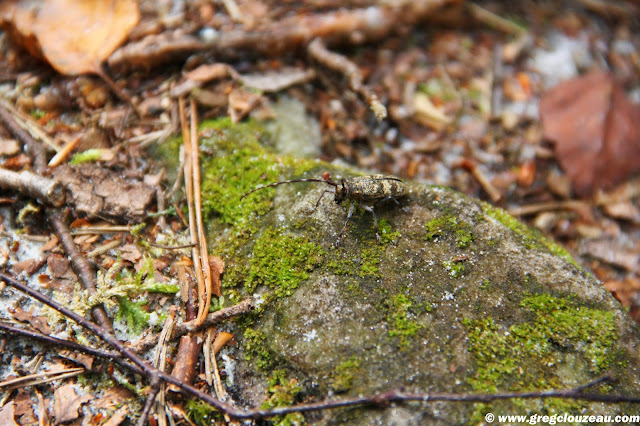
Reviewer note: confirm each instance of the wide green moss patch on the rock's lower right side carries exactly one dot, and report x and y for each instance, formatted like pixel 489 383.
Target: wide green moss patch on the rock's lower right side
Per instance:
pixel 527 355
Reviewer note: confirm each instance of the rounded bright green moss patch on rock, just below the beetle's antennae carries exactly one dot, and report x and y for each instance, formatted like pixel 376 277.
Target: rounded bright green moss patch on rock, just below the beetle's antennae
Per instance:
pixel 281 261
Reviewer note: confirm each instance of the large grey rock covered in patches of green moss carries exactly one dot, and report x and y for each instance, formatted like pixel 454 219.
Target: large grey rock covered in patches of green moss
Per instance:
pixel 456 296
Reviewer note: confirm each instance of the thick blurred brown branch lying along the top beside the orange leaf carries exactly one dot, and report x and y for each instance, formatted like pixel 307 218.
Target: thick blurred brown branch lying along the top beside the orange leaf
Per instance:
pixel 354 26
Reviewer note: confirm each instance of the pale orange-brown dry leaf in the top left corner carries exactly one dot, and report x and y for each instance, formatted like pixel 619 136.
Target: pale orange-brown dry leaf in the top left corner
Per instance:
pixel 74 36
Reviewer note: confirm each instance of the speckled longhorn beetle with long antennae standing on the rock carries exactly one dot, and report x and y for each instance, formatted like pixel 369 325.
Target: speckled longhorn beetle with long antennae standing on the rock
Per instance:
pixel 367 191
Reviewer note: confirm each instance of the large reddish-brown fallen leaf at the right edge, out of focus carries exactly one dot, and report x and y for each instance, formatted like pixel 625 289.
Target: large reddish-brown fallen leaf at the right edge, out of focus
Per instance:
pixel 596 130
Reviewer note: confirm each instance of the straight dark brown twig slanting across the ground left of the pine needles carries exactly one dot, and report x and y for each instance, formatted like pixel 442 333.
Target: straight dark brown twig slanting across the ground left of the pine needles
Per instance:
pixel 81 267
